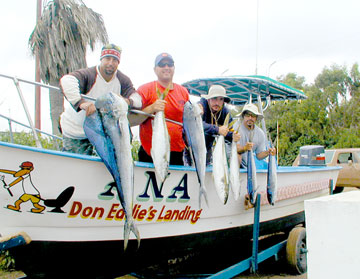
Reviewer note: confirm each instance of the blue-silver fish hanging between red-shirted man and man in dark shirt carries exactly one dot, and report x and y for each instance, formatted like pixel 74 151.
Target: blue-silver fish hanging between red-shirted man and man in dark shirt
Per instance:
pixel 194 130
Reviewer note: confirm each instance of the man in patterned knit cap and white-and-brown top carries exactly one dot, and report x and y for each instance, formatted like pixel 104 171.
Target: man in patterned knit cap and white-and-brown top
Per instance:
pixel 93 82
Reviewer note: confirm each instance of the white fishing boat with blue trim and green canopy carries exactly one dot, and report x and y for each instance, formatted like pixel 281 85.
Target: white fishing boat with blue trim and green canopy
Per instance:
pixel 79 204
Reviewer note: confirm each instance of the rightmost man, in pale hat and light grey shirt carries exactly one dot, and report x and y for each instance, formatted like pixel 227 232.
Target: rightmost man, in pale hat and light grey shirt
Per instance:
pixel 252 137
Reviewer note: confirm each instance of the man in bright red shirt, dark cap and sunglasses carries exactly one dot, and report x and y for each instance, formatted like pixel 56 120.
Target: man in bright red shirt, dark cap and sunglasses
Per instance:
pixel 172 105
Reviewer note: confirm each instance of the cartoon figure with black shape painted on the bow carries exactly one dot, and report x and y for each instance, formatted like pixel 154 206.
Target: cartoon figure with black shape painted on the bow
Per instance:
pixel 30 192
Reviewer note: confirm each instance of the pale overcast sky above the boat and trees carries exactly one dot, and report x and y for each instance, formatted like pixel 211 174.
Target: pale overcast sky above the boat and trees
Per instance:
pixel 205 38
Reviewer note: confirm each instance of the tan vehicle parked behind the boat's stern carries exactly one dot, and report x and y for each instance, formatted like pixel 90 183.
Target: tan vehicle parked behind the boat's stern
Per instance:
pixel 349 160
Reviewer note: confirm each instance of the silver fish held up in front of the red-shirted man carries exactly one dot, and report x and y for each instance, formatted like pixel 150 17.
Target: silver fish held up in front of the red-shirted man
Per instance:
pixel 160 144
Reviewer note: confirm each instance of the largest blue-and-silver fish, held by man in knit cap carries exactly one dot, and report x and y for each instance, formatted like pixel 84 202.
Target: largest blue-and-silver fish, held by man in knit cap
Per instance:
pixel 108 130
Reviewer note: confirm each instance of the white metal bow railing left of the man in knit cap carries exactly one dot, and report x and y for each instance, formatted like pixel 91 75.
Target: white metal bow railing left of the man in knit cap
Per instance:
pixel 35 131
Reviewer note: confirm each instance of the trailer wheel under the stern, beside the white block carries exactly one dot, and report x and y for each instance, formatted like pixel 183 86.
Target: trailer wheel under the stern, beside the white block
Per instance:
pixel 296 250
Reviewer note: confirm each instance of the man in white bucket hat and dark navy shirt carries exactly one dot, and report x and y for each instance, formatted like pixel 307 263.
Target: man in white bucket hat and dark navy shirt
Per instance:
pixel 215 112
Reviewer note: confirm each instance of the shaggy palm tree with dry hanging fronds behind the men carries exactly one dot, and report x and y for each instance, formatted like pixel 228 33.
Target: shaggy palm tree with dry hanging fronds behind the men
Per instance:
pixel 60 38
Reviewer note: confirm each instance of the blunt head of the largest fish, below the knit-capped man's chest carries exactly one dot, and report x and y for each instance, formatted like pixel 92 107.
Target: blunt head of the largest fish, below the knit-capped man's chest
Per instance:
pixel 111 106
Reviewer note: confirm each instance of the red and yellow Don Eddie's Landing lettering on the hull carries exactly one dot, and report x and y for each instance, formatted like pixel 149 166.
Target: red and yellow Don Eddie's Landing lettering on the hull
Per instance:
pixel 140 213
